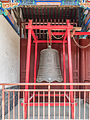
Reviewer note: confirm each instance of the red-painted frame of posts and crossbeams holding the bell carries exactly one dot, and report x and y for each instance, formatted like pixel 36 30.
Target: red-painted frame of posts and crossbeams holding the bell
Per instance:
pixel 66 40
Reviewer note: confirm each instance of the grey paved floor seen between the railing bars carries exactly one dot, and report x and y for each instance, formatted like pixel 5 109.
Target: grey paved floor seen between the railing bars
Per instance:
pixel 52 112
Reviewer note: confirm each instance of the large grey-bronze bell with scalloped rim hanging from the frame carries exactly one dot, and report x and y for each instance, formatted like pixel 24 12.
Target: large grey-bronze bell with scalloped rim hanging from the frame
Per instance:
pixel 49 67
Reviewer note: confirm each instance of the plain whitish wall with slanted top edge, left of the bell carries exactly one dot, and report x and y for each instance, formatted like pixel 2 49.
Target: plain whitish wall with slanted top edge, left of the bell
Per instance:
pixel 9 53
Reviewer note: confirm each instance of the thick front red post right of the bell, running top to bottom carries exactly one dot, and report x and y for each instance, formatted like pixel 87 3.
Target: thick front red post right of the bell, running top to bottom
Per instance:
pixel 70 69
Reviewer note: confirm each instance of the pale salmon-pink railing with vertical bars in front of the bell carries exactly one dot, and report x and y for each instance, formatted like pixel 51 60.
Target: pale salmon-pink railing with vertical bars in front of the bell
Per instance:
pixel 51 102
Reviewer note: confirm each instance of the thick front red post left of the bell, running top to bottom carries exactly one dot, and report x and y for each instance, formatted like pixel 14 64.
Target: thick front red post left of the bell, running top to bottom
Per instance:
pixel 27 69
